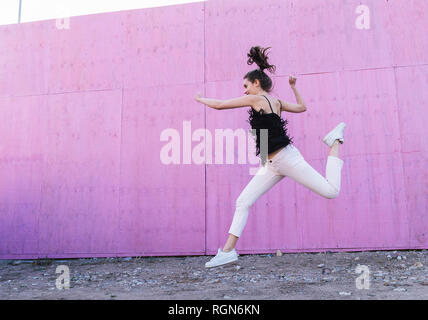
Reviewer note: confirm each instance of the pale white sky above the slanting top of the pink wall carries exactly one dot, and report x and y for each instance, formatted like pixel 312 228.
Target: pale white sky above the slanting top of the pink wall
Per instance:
pixel 33 10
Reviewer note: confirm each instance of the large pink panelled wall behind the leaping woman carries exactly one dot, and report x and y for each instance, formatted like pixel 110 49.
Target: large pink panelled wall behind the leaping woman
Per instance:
pixel 82 111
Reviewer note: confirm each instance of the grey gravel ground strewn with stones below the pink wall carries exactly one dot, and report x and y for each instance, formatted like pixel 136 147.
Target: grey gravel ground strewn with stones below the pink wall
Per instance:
pixel 392 275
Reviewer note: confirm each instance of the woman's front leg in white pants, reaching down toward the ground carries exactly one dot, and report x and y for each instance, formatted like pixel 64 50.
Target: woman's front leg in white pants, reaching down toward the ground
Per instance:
pixel 265 179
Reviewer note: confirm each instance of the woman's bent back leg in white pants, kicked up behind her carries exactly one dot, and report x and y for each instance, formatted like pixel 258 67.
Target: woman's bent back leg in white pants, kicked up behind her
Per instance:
pixel 303 173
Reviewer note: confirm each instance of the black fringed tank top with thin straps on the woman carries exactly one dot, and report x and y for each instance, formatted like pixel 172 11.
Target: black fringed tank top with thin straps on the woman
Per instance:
pixel 276 126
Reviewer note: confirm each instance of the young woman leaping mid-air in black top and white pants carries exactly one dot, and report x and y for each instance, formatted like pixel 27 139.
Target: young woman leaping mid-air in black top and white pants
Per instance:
pixel 283 158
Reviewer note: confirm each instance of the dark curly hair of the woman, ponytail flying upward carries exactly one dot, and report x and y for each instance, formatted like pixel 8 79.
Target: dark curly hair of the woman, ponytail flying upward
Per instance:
pixel 258 55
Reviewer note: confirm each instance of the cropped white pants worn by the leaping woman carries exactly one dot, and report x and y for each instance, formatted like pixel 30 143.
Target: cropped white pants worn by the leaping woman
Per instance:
pixel 288 162
